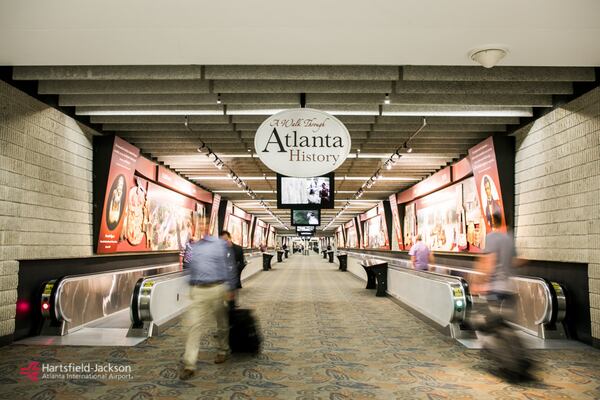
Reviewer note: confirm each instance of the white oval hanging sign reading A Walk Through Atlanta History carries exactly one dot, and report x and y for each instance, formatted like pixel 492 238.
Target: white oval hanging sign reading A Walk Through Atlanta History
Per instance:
pixel 302 142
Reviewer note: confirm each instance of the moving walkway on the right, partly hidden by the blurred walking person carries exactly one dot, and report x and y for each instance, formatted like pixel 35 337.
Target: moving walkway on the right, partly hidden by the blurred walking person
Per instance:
pixel 442 298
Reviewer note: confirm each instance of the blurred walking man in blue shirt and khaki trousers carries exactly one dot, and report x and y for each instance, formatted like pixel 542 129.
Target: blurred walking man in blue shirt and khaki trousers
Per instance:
pixel 212 282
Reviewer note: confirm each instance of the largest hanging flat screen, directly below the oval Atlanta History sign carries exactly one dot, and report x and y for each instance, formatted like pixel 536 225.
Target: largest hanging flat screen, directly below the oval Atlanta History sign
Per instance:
pixel 305 193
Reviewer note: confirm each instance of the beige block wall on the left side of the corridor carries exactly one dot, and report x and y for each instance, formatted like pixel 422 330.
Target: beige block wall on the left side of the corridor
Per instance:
pixel 45 189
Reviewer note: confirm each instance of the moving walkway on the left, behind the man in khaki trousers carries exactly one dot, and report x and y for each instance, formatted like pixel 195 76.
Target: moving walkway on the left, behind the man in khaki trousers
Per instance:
pixel 116 308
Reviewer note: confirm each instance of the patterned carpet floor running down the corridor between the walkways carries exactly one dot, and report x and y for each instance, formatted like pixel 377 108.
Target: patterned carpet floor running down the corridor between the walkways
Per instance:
pixel 326 337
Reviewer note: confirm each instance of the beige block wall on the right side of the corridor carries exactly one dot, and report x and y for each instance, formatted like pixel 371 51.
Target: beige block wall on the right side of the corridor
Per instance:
pixel 557 190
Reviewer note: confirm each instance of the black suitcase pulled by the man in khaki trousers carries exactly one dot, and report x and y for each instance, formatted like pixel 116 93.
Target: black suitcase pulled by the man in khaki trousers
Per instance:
pixel 244 334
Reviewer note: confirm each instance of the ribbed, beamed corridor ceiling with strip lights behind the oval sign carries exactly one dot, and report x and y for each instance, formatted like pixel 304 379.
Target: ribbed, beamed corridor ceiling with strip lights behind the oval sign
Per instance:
pixel 147 105
